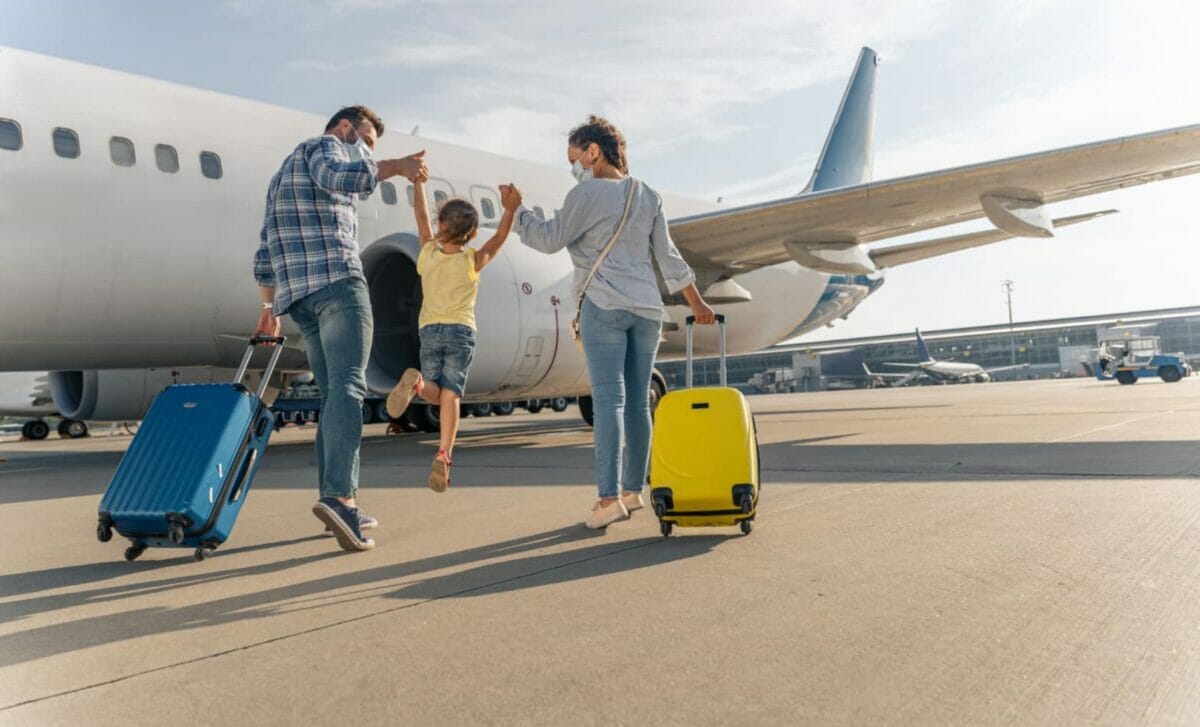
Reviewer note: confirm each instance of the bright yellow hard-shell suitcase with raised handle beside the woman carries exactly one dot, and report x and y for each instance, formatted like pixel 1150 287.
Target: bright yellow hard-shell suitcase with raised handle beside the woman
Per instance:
pixel 705 455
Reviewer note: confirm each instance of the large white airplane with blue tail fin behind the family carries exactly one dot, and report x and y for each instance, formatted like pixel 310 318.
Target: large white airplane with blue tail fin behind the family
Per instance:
pixel 130 212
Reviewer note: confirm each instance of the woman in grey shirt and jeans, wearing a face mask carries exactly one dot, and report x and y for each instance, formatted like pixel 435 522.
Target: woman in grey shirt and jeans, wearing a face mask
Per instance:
pixel 621 319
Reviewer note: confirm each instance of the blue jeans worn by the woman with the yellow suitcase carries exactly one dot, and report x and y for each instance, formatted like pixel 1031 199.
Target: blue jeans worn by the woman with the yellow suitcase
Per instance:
pixel 620 349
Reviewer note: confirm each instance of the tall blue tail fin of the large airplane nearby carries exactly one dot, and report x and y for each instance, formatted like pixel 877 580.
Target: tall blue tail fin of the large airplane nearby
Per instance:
pixel 849 152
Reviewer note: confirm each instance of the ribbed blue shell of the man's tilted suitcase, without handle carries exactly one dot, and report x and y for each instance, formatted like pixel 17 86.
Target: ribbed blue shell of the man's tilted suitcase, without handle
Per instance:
pixel 172 465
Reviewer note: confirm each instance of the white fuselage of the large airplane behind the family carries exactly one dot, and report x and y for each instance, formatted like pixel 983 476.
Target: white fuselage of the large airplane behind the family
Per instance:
pixel 109 267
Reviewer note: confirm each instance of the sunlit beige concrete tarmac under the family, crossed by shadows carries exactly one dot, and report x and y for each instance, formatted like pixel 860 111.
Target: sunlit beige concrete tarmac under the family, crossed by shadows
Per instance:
pixel 982 555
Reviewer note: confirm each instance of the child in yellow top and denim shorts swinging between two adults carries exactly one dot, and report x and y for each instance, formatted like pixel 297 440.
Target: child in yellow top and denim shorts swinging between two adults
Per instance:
pixel 449 275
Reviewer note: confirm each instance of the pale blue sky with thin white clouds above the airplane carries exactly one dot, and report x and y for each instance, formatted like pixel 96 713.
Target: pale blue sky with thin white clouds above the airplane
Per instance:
pixel 728 100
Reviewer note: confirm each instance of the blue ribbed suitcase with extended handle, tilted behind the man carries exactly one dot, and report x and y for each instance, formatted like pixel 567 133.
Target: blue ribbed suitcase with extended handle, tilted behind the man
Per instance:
pixel 185 477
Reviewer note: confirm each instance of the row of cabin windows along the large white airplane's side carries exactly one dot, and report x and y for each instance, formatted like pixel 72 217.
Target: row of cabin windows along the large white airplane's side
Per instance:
pixel 124 154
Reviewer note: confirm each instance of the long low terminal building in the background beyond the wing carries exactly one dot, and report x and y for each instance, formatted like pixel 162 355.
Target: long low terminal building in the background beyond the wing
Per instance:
pixel 1053 349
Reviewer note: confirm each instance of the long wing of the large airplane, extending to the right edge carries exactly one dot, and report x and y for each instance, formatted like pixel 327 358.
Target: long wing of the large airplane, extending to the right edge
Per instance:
pixel 827 230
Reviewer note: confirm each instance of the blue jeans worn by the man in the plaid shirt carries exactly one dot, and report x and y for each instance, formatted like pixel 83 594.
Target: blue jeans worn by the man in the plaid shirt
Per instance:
pixel 338 329
